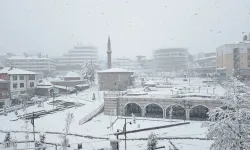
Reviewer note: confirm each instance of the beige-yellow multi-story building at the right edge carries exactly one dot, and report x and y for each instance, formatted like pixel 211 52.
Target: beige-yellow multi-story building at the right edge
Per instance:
pixel 234 58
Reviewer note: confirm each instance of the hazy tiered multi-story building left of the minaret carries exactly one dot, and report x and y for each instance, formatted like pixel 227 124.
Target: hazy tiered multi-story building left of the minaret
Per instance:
pixel 76 58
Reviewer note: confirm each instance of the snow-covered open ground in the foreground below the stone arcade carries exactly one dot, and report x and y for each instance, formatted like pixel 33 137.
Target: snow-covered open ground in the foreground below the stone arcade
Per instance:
pixel 98 126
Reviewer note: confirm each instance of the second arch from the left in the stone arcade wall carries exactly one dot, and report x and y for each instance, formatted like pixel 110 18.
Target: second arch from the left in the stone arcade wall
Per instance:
pixel 153 110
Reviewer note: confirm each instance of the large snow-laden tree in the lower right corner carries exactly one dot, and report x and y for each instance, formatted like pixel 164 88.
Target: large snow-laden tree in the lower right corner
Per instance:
pixel 230 125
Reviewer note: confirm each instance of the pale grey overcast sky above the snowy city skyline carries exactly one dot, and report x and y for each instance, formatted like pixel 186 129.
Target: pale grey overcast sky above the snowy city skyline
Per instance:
pixel 136 27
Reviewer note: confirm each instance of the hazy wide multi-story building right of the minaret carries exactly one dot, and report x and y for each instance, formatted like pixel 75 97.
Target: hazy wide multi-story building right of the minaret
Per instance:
pixel 170 59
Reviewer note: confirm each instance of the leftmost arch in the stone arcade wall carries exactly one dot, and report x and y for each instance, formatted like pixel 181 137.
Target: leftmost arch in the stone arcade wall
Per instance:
pixel 134 108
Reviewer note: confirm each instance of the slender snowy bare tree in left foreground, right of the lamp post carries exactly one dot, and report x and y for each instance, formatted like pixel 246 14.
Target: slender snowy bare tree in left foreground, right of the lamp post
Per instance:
pixel 68 120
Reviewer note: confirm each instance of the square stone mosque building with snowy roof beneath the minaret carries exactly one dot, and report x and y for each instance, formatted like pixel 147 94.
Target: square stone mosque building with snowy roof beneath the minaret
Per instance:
pixel 115 79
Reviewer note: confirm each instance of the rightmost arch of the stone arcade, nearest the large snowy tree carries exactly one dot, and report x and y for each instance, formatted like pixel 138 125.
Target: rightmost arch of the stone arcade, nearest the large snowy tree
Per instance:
pixel 199 112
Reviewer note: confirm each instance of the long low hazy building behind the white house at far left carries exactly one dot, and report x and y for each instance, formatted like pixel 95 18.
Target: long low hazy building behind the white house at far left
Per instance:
pixel 32 63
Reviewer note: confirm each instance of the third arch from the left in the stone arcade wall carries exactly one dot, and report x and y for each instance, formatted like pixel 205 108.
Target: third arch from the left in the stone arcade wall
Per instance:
pixel 178 112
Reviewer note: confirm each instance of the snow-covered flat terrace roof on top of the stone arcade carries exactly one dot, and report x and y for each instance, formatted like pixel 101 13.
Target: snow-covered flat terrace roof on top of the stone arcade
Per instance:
pixel 177 88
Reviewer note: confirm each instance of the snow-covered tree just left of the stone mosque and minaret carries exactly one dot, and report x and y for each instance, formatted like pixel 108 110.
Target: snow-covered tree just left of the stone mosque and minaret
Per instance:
pixel 88 72
